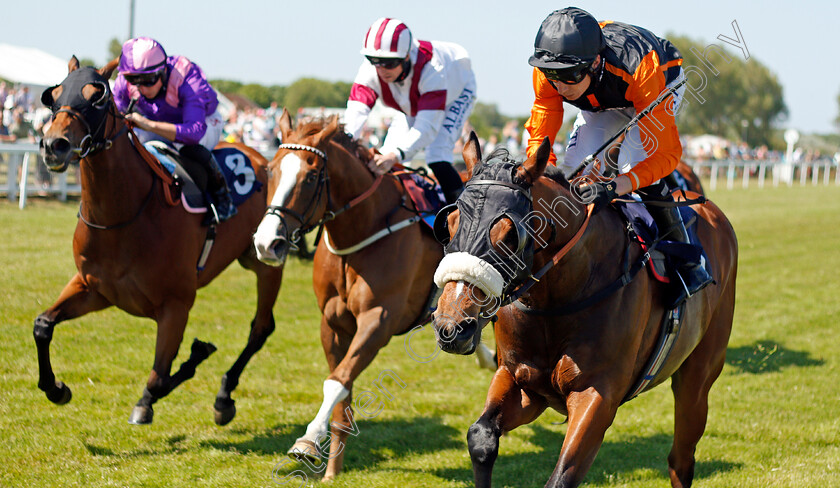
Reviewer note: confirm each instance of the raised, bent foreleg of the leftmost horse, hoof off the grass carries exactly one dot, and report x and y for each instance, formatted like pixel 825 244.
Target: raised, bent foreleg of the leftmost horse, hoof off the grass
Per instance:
pixel 75 300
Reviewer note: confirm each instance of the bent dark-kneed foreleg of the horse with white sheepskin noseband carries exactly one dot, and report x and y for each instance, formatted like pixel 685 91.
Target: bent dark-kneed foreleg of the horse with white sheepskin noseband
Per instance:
pixel 506 408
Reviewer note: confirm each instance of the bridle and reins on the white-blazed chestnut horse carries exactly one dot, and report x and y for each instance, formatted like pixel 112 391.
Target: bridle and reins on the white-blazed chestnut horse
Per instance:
pixel 322 188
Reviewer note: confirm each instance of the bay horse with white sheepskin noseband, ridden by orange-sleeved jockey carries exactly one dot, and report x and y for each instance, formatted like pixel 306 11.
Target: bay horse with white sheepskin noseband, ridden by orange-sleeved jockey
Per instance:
pixel 572 342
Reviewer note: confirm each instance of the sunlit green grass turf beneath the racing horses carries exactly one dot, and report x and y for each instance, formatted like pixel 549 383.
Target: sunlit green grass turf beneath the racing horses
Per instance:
pixel 774 414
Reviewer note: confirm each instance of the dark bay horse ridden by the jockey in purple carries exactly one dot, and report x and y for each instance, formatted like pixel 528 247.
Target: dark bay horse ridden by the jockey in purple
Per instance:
pixel 135 249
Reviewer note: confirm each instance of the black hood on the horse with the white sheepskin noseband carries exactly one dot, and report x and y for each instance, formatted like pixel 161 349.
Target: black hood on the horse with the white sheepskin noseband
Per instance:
pixel 491 194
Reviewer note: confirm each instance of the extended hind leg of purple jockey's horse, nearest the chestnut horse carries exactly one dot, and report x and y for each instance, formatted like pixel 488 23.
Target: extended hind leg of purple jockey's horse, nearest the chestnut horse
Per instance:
pixel 269 280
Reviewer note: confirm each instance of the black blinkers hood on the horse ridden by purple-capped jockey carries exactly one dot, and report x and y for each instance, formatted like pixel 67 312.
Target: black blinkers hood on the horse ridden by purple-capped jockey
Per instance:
pixel 93 112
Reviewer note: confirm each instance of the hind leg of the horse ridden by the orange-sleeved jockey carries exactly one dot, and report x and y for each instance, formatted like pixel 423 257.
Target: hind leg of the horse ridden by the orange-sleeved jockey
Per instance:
pixel 691 385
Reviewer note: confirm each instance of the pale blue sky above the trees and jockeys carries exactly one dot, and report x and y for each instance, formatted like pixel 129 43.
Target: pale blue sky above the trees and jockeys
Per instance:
pixel 277 42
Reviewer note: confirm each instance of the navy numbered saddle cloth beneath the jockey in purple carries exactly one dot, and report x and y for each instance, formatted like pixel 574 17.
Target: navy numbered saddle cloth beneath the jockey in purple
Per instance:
pixel 239 174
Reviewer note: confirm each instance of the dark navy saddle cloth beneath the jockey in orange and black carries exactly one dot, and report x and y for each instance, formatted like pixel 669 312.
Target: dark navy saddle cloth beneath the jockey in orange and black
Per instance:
pixel 667 255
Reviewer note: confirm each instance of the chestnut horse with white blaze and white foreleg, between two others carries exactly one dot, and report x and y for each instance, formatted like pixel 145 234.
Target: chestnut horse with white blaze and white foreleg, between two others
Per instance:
pixel 372 270
